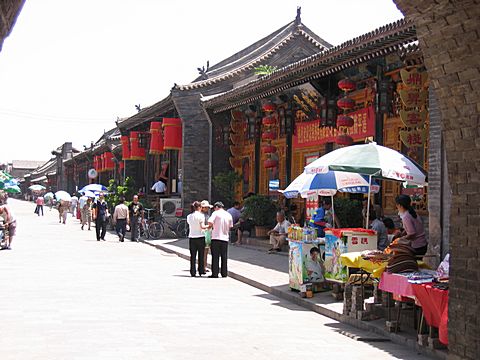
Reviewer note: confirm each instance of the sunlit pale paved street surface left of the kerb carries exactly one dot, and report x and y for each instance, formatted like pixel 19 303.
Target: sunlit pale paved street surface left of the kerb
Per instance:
pixel 64 295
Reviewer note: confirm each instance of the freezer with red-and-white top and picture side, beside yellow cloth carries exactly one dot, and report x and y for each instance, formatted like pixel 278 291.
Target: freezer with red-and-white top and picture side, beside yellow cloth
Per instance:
pixel 341 241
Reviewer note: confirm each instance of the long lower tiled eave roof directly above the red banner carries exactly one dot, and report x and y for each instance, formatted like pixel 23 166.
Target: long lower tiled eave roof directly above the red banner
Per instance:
pixel 384 40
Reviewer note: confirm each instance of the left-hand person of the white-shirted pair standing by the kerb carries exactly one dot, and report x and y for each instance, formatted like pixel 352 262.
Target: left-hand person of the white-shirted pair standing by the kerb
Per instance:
pixel 196 235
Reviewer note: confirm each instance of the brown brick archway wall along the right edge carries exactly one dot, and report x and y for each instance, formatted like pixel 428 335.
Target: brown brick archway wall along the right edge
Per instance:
pixel 448 33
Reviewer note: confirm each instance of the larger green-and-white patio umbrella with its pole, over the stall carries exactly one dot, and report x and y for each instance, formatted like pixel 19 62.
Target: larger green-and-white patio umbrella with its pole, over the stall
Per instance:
pixel 372 160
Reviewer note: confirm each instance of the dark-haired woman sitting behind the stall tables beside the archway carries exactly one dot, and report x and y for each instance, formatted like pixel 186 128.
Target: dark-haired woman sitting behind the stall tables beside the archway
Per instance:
pixel 413 232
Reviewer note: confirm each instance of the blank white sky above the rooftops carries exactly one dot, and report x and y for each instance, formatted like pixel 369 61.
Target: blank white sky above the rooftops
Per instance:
pixel 70 68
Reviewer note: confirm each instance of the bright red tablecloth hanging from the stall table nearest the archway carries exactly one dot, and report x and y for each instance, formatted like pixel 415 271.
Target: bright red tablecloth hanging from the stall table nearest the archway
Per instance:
pixel 434 304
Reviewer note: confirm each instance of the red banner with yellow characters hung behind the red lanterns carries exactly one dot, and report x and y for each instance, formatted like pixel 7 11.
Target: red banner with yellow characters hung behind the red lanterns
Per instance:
pixel 310 133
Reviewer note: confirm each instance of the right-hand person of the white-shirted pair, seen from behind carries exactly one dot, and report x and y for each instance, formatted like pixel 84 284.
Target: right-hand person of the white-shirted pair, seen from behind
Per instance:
pixel 221 222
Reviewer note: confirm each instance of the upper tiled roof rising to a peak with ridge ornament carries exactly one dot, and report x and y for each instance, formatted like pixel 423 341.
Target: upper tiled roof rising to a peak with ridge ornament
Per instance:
pixel 256 54
